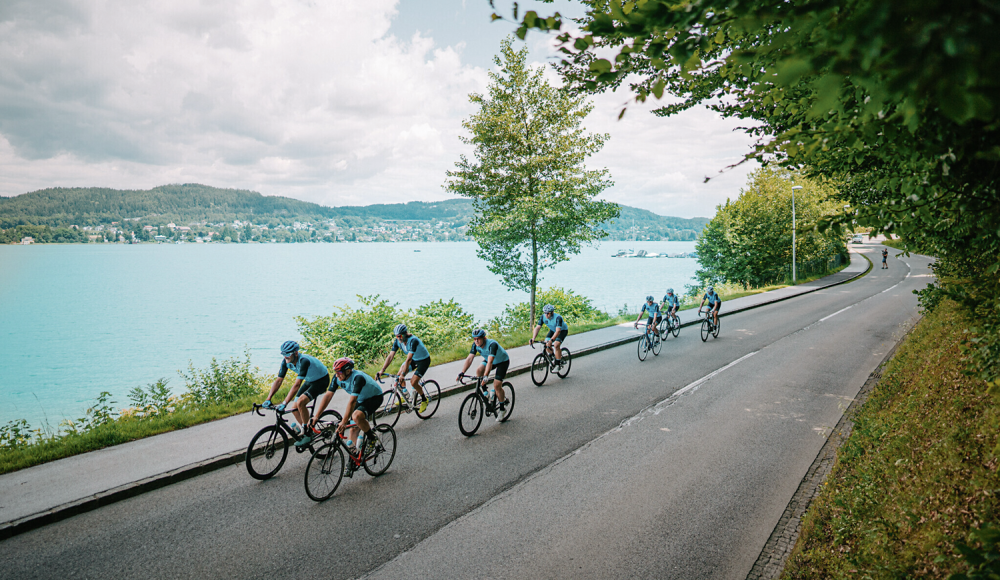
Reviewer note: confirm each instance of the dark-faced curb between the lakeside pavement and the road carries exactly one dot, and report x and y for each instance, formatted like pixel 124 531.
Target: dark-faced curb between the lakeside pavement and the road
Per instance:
pixel 129 490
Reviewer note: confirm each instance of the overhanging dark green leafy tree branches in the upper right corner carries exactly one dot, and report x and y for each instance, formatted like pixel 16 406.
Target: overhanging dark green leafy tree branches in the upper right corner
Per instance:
pixel 897 101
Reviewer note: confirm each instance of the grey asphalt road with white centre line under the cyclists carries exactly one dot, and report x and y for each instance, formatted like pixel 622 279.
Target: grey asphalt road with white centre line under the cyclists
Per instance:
pixel 610 472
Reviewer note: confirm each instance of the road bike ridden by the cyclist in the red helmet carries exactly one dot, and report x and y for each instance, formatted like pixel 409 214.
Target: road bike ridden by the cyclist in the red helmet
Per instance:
pixel 334 461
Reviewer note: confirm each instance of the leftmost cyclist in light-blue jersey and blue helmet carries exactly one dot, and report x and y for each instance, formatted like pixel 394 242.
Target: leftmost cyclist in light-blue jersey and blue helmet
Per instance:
pixel 312 379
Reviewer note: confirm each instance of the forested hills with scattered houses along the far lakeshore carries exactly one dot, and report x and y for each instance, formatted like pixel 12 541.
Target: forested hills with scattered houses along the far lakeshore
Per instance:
pixel 194 203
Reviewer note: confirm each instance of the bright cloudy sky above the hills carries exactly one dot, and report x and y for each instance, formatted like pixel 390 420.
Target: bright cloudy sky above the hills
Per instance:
pixel 331 101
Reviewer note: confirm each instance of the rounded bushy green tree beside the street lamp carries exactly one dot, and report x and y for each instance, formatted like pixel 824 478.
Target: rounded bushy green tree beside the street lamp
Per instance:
pixel 749 241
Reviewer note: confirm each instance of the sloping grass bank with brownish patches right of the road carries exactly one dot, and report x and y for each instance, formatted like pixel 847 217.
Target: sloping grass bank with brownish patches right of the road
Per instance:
pixel 918 473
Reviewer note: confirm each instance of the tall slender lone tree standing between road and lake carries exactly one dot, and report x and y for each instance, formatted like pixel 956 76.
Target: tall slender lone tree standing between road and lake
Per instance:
pixel 534 199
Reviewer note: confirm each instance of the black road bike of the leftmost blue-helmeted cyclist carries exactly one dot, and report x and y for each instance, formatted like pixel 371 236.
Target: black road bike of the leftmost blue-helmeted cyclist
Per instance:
pixel 269 447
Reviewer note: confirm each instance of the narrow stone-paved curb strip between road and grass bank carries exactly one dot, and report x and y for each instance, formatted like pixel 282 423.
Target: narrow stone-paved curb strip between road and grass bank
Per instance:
pixel 785 536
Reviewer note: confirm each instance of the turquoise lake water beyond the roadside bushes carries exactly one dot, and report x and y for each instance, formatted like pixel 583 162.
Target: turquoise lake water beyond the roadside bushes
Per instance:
pixel 79 319
